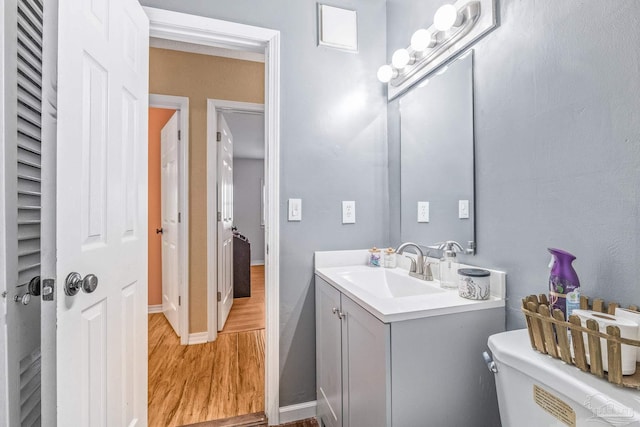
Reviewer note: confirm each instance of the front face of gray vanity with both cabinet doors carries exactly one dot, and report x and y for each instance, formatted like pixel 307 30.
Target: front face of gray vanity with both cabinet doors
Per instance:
pixel 352 362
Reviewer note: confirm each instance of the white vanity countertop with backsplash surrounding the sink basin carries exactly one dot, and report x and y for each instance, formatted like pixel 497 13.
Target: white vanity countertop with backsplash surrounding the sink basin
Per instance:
pixel 330 264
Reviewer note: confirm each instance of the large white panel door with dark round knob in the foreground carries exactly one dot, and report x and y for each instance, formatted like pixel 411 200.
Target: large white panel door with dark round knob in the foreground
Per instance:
pixel 101 213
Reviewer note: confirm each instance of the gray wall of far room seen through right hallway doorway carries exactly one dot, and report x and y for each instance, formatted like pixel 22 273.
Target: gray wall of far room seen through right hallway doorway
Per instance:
pixel 247 193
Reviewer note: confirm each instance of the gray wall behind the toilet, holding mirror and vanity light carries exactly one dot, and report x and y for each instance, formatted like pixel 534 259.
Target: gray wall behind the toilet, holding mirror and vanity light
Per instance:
pixel 557 116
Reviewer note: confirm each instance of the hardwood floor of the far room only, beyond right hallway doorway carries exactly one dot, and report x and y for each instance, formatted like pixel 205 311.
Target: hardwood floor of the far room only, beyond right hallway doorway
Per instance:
pixel 248 314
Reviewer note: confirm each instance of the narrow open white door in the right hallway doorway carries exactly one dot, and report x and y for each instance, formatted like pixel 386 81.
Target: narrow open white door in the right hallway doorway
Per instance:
pixel 225 221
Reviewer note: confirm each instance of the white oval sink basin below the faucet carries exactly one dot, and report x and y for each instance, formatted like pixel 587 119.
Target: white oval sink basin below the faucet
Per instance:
pixel 387 283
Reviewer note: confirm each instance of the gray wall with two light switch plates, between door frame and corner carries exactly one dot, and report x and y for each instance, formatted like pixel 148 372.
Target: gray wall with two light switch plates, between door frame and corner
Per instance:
pixel 333 148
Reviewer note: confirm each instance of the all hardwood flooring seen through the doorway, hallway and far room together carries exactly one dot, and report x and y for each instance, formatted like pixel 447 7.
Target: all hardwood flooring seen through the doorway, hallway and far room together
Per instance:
pixel 222 379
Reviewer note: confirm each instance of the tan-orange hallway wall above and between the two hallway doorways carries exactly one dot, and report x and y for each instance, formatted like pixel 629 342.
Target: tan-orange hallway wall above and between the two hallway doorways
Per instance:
pixel 200 77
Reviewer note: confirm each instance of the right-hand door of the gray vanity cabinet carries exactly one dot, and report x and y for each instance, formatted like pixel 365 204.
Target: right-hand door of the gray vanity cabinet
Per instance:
pixel 366 368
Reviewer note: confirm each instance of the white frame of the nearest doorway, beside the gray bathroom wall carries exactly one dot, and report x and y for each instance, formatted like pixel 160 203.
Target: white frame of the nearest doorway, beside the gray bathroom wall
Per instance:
pixel 214 32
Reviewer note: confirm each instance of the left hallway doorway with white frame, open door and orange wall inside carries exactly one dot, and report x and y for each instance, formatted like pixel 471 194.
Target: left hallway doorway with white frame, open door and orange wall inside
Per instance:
pixel 169 211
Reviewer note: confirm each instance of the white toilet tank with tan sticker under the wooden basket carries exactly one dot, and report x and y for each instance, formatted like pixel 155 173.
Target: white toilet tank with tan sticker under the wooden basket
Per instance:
pixel 535 390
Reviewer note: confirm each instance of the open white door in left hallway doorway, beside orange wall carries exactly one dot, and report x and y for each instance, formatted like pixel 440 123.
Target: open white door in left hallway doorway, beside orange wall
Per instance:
pixel 169 184
